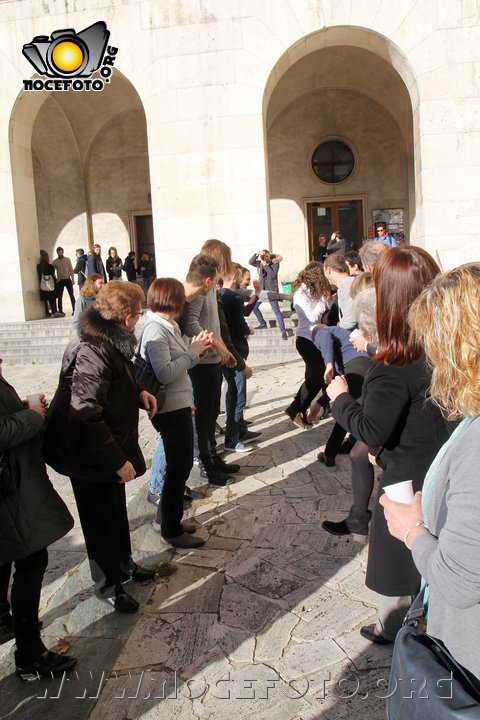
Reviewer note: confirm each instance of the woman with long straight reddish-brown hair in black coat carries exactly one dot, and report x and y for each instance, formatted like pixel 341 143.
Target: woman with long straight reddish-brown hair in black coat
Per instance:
pixel 402 428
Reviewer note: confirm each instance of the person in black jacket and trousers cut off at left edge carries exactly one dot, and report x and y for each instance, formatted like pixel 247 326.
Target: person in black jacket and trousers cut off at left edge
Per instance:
pixel 32 516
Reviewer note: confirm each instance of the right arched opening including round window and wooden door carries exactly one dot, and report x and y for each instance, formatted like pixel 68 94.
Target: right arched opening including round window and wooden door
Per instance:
pixel 339 89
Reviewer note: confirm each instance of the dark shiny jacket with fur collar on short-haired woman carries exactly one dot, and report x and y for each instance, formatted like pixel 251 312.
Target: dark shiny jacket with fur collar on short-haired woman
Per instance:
pixel 92 424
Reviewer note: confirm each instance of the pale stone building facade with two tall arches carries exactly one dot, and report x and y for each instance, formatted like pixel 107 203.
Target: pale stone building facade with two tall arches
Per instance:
pixel 260 122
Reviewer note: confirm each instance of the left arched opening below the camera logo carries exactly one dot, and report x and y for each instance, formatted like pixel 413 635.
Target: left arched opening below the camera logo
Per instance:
pixel 80 172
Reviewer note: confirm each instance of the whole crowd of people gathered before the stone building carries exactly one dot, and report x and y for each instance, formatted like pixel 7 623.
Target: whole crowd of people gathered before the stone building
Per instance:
pixel 391 350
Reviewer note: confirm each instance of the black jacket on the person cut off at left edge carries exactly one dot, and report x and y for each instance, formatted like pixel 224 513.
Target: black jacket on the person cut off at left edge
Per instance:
pixel 32 514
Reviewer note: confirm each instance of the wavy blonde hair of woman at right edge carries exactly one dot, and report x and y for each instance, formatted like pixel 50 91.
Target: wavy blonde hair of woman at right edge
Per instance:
pixel 446 317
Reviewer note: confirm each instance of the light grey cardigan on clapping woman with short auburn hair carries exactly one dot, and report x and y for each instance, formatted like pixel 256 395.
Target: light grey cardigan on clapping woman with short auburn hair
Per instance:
pixel 170 358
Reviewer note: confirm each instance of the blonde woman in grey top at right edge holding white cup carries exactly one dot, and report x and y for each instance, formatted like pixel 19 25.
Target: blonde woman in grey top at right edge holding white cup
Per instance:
pixel 441 526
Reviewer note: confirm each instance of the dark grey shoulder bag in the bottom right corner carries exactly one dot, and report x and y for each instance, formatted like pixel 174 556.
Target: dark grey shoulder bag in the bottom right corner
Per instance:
pixel 426 682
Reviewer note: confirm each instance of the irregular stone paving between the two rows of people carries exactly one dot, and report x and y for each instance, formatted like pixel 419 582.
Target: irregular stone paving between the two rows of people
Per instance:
pixel 263 621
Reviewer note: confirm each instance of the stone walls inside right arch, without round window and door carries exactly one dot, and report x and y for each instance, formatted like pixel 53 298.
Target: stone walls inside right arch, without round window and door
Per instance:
pixel 331 73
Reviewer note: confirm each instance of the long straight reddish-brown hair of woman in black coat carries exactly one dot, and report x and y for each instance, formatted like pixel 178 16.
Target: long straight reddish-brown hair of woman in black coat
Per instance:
pixel 400 274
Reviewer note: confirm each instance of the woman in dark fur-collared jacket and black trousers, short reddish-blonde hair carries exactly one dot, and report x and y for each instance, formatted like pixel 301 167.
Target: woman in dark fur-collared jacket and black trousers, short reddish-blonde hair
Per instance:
pixel 92 435
